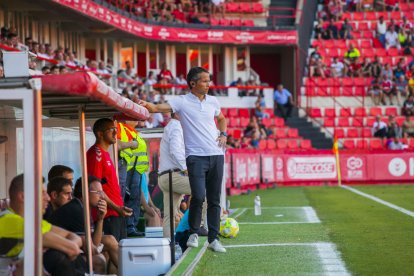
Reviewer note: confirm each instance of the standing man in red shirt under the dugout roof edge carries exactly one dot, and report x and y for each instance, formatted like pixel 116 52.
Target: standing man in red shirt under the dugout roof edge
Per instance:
pixel 100 165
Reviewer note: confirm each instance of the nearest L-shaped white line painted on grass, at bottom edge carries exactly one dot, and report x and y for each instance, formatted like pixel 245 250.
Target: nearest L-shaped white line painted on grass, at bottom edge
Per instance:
pixel 331 261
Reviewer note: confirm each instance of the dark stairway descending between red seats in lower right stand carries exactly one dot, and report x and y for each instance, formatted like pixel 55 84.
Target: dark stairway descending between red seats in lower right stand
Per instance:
pixel 308 131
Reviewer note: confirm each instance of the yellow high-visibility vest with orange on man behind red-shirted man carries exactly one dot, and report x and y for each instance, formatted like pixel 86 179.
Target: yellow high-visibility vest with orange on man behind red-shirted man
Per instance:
pixel 138 156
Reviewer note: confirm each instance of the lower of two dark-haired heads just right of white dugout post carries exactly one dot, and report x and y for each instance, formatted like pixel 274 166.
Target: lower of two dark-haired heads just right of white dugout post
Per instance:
pixel 59 190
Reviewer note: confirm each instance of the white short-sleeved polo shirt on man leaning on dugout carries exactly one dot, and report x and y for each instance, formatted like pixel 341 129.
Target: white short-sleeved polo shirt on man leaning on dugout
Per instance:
pixel 197 120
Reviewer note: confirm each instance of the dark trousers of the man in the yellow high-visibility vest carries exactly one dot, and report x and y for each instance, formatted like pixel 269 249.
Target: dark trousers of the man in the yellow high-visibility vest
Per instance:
pixel 133 198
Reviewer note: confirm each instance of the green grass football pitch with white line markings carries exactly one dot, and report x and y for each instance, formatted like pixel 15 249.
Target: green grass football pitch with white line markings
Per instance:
pixel 315 231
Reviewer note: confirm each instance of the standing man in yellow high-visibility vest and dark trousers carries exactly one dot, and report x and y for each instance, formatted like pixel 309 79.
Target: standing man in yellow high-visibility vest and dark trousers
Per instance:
pixel 133 159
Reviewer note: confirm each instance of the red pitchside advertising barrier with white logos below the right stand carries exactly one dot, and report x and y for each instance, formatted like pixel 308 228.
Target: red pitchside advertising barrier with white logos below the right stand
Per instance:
pixel 251 169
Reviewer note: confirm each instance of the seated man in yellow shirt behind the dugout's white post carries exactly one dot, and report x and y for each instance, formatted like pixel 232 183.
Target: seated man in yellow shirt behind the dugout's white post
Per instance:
pixel 61 248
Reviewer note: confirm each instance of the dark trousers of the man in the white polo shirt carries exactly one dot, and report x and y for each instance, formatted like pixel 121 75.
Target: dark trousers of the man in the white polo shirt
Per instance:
pixel 206 175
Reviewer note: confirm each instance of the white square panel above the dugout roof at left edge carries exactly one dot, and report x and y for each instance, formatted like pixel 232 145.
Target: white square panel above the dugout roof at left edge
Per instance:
pixel 15 64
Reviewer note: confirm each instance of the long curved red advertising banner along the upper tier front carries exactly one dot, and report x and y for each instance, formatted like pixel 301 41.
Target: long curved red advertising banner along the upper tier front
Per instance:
pixel 126 24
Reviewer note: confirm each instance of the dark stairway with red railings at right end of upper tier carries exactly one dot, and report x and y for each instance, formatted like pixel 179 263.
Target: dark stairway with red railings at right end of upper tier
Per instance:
pixel 284 13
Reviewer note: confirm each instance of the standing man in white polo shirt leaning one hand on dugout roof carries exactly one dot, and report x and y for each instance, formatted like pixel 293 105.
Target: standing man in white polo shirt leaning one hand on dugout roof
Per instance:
pixel 204 150
